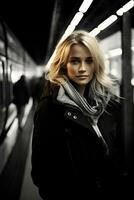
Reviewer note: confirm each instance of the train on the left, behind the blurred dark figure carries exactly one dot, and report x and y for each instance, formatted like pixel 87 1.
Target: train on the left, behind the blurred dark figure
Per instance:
pixel 14 62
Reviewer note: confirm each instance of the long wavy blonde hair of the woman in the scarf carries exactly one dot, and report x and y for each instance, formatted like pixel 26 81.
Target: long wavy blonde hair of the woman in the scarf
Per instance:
pixel 101 83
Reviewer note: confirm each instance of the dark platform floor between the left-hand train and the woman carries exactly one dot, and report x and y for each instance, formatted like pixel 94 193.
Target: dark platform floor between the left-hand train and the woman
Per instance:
pixel 15 179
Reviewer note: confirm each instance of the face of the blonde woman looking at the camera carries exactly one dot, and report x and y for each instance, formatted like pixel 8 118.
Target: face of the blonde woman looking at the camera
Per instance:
pixel 80 66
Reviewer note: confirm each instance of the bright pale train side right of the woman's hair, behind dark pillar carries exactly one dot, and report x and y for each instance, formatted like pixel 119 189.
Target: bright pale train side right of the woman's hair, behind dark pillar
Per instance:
pixel 113 54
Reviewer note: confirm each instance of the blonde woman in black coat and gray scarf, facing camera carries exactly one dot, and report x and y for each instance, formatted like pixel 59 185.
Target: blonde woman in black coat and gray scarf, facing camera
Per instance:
pixel 76 147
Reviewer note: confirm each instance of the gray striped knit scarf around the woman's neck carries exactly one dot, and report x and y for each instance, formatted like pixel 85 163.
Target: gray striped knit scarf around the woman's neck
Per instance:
pixel 69 95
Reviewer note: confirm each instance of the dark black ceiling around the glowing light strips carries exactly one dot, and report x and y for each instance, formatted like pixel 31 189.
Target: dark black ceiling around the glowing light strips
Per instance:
pixel 40 25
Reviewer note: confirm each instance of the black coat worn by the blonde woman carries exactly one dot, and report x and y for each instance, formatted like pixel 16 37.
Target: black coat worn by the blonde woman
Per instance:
pixel 68 159
